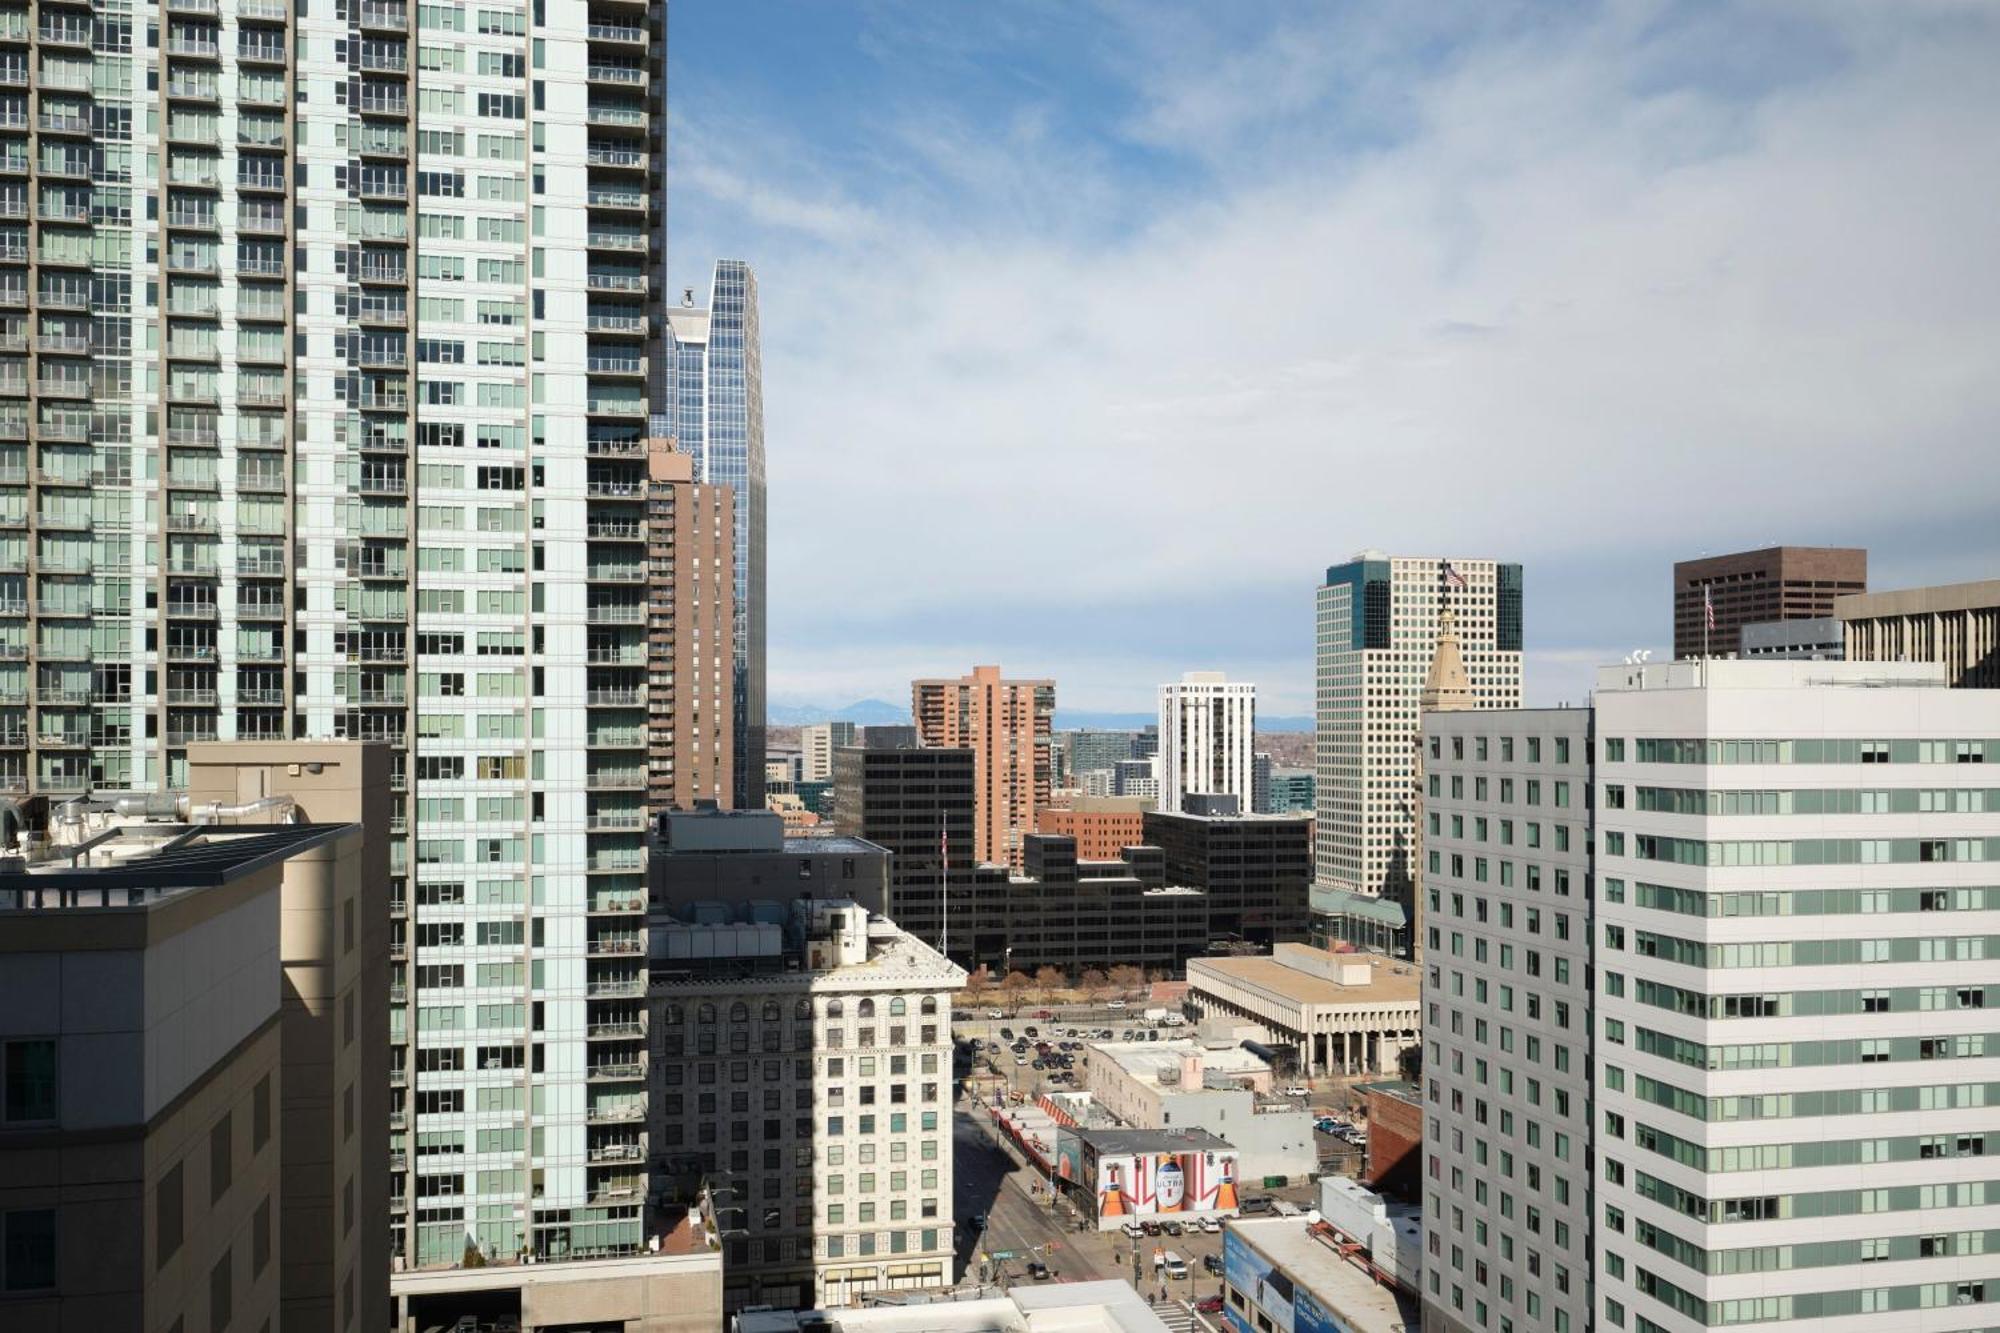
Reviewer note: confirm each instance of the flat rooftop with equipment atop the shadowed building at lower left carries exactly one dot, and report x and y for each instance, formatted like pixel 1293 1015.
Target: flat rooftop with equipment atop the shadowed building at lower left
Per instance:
pixel 139 864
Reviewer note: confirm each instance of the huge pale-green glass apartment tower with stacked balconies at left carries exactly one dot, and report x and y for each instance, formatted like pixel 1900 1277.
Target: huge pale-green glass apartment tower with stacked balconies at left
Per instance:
pixel 323 405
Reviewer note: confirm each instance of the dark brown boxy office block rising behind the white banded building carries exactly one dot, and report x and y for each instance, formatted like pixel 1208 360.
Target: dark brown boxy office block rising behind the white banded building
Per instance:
pixel 1781 583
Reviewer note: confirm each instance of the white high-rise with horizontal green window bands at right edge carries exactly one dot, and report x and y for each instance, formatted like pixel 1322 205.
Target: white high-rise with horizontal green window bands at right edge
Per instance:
pixel 1795 1064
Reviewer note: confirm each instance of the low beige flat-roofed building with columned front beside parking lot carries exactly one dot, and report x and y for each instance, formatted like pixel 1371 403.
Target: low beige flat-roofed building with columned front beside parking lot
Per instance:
pixel 1341 1012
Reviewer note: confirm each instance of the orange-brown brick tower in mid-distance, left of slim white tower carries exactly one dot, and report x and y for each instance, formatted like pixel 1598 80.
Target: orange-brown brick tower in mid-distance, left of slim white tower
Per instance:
pixel 1007 728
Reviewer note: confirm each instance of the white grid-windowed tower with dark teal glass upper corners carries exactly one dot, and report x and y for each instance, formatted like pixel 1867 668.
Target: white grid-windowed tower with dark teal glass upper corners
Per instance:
pixel 1379 621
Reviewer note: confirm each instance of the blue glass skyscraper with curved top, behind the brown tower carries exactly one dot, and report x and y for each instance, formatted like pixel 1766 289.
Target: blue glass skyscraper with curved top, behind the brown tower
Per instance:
pixel 717 415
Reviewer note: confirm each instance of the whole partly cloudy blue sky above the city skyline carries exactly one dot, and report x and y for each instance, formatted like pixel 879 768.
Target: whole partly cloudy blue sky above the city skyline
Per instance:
pixel 1097 331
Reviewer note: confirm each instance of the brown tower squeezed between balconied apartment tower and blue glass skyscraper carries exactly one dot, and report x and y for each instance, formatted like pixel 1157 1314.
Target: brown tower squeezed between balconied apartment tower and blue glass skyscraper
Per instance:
pixel 691 605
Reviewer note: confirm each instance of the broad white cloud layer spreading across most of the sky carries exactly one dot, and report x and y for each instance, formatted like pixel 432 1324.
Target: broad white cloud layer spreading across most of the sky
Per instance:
pixel 1571 303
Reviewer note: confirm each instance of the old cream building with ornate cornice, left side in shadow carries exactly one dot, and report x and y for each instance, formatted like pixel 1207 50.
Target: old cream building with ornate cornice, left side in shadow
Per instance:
pixel 803 1086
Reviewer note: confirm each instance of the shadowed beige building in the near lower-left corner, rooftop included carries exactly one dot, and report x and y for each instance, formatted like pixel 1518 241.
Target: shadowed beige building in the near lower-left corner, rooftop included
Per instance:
pixel 193 1042
